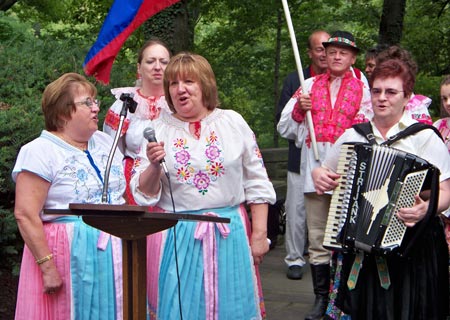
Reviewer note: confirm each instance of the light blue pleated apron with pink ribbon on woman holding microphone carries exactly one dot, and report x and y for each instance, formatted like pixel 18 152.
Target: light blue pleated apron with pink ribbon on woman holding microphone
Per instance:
pixel 233 296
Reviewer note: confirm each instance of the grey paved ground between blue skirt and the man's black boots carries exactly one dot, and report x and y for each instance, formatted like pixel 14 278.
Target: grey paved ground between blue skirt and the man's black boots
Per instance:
pixel 285 299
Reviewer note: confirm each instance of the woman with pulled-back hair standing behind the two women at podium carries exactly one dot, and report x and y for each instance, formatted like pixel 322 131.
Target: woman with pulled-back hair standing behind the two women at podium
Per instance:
pixel 148 93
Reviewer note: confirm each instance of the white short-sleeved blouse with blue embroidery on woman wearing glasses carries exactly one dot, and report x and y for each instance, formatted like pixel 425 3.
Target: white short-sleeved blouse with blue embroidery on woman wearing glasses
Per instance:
pixel 73 177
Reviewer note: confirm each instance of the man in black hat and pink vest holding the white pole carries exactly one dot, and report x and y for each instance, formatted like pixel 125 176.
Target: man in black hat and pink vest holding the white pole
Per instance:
pixel 336 99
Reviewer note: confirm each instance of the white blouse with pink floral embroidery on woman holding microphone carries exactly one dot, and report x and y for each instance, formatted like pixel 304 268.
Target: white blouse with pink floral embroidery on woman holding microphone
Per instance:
pixel 224 167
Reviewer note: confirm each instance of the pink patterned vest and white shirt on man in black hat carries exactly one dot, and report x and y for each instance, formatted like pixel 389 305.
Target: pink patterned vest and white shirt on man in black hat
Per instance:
pixel 337 105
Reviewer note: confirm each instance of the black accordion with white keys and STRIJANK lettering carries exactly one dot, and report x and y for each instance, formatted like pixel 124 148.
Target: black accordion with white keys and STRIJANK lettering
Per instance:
pixel 376 181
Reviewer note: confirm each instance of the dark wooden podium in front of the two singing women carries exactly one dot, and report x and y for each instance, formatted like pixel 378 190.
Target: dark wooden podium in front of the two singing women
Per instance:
pixel 132 224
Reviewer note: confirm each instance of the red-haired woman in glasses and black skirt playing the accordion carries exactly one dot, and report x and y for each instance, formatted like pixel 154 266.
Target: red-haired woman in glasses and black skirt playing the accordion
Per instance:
pixel 393 286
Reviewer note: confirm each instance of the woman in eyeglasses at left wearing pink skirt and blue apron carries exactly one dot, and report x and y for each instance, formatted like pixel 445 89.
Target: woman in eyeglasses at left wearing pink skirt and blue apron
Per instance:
pixel 69 270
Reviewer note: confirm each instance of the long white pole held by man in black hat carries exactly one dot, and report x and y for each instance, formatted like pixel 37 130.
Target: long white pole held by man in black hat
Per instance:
pixel 301 77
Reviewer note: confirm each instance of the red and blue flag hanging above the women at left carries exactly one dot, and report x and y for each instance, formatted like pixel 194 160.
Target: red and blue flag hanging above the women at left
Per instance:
pixel 123 18
